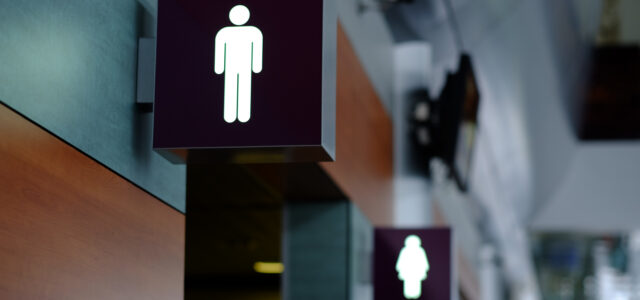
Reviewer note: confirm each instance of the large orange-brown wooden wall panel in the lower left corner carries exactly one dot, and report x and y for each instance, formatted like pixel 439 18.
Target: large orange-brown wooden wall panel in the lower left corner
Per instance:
pixel 72 229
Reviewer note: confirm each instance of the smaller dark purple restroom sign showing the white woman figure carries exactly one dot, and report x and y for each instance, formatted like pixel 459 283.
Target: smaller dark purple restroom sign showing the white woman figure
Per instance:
pixel 413 264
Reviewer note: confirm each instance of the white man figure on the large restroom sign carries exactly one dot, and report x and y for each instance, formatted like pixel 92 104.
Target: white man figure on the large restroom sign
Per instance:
pixel 238 53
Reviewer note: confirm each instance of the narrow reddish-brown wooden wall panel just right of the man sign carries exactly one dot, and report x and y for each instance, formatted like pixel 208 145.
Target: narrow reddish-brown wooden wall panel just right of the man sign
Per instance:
pixel 364 157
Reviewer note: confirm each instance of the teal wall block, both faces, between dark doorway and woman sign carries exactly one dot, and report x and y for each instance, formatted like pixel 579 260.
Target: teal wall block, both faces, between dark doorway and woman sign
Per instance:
pixel 327 251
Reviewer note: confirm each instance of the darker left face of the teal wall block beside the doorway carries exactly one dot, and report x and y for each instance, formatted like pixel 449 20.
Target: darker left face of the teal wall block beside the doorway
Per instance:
pixel 316 251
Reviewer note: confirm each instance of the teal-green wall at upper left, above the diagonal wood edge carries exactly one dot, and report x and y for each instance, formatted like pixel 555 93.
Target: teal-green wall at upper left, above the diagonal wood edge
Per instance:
pixel 70 66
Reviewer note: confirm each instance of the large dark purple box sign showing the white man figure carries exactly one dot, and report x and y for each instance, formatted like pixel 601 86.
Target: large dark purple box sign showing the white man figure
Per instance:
pixel 245 81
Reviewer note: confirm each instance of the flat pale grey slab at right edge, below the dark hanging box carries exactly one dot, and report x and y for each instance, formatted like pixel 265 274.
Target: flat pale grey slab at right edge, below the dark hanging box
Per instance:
pixel 599 192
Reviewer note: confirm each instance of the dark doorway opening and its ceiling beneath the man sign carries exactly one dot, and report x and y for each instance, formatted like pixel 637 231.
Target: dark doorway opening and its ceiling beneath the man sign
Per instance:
pixel 234 219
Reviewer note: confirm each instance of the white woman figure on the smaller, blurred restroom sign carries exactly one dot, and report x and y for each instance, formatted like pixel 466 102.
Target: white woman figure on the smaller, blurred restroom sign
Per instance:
pixel 412 267
